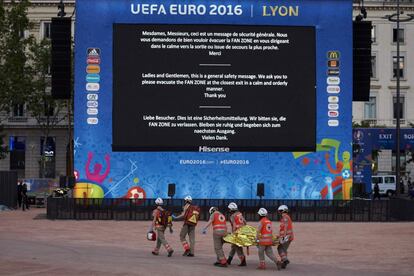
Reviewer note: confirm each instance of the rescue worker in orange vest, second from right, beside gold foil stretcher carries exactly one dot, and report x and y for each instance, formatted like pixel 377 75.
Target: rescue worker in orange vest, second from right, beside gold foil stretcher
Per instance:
pixel 265 240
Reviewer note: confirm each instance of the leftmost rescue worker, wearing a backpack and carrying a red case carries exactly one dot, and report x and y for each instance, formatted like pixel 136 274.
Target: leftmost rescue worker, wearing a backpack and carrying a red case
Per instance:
pixel 159 223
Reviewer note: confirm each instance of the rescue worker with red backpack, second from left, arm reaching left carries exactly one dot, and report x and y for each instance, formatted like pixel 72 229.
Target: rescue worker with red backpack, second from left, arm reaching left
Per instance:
pixel 191 215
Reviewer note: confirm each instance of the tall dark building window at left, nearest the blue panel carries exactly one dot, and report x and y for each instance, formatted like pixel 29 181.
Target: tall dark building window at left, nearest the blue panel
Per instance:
pixel 48 148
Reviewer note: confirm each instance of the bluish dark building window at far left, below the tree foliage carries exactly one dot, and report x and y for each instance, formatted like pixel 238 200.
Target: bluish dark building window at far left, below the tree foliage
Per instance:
pixel 17 148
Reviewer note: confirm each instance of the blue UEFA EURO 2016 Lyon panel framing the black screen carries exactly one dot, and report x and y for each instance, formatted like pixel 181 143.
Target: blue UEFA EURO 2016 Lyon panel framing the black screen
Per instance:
pixel 325 173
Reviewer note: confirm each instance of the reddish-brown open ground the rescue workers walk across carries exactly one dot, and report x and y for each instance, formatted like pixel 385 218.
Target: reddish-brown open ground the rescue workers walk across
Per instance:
pixel 33 245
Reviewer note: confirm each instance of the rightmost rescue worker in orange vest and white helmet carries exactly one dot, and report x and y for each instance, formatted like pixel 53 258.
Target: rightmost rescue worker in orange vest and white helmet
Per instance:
pixel 285 234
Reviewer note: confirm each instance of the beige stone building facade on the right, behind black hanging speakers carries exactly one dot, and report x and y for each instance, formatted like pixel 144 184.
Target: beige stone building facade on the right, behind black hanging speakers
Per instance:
pixel 380 110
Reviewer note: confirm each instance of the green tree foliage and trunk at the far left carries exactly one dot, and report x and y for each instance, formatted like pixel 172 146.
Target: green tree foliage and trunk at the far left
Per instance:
pixel 24 66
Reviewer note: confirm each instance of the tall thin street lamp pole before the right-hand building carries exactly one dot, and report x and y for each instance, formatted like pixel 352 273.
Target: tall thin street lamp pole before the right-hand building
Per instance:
pixel 397 18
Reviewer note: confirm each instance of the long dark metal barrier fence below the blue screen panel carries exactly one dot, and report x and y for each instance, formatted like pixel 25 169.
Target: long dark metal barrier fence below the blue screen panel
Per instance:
pixel 300 210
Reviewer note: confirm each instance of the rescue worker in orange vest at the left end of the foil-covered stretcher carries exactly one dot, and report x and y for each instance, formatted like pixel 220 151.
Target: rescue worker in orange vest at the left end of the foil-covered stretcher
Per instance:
pixel 218 220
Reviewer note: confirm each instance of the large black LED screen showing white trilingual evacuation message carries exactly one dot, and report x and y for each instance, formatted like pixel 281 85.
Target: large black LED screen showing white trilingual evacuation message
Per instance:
pixel 213 88
